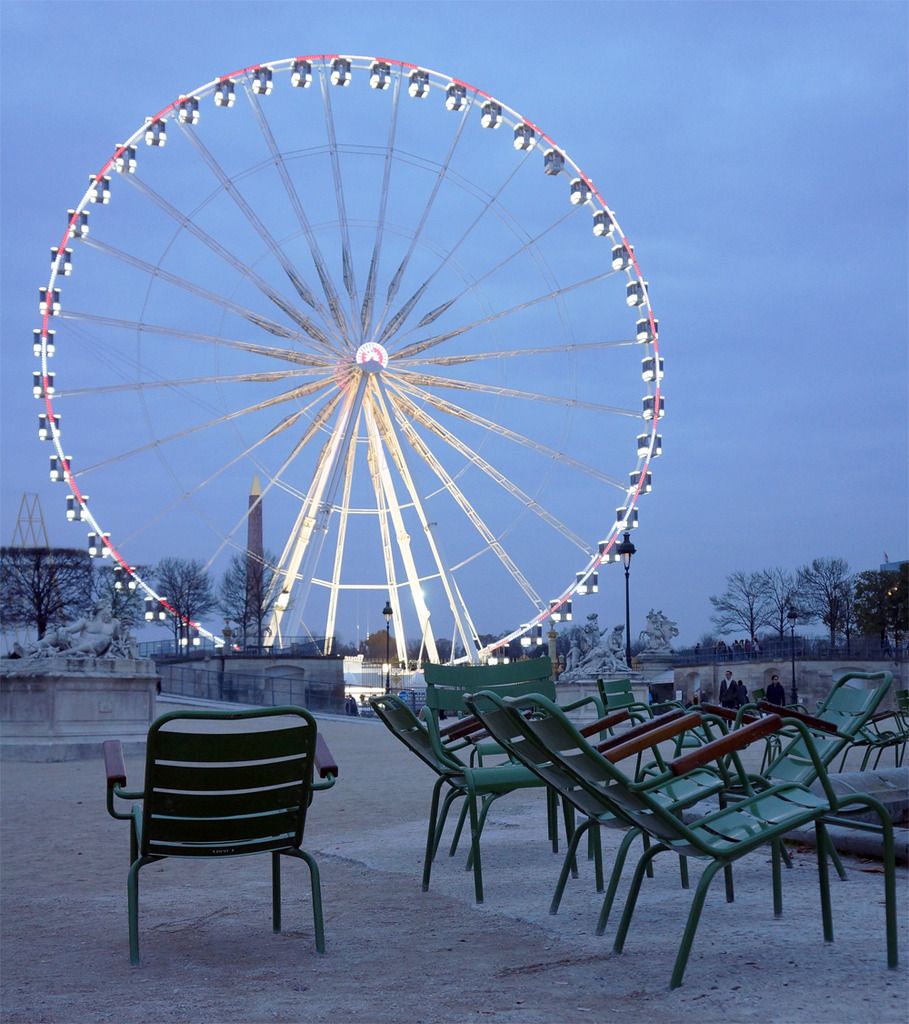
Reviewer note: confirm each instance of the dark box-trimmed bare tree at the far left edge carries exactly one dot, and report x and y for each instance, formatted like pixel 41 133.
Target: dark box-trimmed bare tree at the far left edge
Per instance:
pixel 40 587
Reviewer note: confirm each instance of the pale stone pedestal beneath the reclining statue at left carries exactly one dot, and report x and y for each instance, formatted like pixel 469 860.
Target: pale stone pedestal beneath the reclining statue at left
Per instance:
pixel 63 709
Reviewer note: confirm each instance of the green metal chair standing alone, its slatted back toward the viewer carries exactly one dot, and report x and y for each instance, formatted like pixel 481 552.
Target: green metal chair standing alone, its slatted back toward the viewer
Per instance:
pixel 224 785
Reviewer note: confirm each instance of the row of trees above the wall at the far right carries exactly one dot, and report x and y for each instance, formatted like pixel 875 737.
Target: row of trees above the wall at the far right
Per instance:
pixel 874 604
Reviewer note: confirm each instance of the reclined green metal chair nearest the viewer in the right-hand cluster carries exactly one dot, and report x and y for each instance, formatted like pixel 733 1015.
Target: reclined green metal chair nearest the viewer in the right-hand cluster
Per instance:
pixel 722 837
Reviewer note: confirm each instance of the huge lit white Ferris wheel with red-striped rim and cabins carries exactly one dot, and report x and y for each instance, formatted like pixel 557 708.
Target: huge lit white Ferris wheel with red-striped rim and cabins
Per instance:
pixel 395 301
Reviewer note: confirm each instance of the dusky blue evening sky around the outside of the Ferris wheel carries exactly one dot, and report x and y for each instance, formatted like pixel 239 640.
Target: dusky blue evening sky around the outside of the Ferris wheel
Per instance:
pixel 755 153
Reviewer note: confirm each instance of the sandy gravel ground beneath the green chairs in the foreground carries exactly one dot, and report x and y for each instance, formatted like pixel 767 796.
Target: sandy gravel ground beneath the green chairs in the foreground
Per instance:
pixel 395 954
